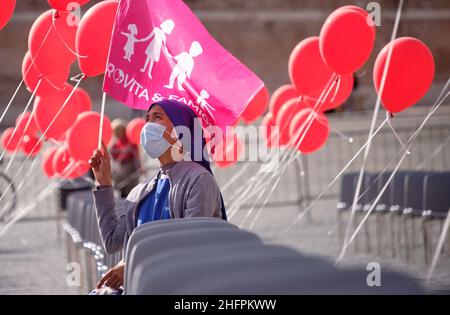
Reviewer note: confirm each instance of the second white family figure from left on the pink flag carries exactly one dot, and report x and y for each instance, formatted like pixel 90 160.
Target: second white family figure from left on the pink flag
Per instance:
pixel 153 50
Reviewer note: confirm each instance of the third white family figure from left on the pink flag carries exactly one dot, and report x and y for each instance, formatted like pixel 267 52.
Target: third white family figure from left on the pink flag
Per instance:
pixel 185 65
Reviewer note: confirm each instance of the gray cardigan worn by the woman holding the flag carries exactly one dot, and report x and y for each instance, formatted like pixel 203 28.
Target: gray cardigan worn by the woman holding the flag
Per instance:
pixel 193 193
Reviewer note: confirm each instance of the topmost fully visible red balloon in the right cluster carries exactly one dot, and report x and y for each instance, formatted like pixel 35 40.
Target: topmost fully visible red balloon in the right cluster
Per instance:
pixel 347 40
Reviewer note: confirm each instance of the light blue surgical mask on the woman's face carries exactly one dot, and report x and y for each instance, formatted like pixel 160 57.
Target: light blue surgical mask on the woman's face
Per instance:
pixel 153 141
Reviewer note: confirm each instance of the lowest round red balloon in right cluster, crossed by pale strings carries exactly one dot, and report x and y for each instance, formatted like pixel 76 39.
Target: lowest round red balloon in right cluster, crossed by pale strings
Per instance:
pixel 316 135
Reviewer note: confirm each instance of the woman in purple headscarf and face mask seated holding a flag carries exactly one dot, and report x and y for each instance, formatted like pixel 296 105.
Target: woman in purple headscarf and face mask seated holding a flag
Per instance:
pixel 182 188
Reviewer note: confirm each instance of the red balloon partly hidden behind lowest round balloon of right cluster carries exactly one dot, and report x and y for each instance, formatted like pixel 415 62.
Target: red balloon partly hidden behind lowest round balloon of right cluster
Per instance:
pixel 285 116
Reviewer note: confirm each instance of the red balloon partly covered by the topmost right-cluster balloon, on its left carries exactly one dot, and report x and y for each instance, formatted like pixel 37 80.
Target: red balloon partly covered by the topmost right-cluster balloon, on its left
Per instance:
pixel 307 70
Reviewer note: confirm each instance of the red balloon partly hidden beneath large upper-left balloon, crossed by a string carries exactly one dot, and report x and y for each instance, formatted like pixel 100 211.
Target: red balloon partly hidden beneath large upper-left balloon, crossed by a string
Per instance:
pixel 49 83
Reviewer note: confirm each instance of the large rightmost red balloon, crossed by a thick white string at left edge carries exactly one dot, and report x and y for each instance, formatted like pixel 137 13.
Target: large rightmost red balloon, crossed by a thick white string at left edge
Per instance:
pixel 410 75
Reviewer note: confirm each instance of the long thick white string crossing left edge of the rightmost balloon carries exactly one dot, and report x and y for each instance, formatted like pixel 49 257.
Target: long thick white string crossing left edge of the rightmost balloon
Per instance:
pixel 372 127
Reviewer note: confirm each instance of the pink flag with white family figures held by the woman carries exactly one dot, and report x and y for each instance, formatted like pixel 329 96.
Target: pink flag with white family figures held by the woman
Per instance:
pixel 160 50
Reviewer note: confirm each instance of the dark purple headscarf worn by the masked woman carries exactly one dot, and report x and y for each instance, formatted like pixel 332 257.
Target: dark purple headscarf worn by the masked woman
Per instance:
pixel 181 115
